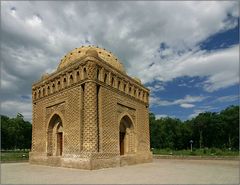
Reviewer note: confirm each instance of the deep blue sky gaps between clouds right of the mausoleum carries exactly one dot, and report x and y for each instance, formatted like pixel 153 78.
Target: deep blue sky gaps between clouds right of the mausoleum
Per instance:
pixel 180 87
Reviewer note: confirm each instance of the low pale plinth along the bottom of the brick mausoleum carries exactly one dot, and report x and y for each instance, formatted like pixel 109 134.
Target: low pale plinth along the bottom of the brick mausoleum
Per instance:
pixel 89 162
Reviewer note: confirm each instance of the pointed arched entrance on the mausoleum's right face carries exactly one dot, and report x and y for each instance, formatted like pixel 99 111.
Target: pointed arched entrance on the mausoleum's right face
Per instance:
pixel 126 136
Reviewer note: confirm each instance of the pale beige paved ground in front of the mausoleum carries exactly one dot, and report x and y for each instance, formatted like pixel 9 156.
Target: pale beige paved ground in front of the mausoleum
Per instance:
pixel 161 171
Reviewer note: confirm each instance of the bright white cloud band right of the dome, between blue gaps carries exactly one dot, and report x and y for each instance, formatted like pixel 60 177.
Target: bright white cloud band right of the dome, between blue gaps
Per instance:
pixel 221 68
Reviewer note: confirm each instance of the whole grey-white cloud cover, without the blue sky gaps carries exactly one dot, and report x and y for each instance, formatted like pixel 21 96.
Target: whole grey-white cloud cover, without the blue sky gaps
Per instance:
pixel 35 35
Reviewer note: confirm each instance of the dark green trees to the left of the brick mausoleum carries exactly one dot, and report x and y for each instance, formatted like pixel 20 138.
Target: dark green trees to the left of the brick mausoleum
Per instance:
pixel 16 133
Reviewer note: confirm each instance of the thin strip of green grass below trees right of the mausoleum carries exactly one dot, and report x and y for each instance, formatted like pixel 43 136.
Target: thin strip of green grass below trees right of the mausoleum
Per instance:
pixel 197 152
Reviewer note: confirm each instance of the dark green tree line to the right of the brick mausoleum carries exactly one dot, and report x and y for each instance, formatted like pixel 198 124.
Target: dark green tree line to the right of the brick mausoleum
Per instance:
pixel 207 130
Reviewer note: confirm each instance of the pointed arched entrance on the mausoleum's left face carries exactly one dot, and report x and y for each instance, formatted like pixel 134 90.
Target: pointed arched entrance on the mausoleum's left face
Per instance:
pixel 55 136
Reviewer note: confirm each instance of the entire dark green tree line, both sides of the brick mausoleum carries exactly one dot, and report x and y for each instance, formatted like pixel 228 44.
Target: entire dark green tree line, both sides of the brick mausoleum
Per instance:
pixel 208 129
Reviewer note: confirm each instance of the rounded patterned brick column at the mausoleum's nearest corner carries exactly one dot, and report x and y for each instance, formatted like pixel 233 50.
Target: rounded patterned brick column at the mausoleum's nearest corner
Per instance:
pixel 90 130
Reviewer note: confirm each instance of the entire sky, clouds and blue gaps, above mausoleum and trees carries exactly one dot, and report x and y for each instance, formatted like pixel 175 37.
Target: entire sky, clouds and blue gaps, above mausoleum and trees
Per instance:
pixel 185 52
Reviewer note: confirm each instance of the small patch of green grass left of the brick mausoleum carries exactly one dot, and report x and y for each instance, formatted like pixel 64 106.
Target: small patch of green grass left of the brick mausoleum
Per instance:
pixel 8 156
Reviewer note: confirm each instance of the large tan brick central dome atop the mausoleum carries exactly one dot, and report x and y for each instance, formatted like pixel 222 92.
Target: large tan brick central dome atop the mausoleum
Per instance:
pixel 91 51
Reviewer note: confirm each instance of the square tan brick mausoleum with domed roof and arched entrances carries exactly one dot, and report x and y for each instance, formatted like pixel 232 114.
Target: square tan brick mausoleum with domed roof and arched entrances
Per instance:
pixel 90 114
